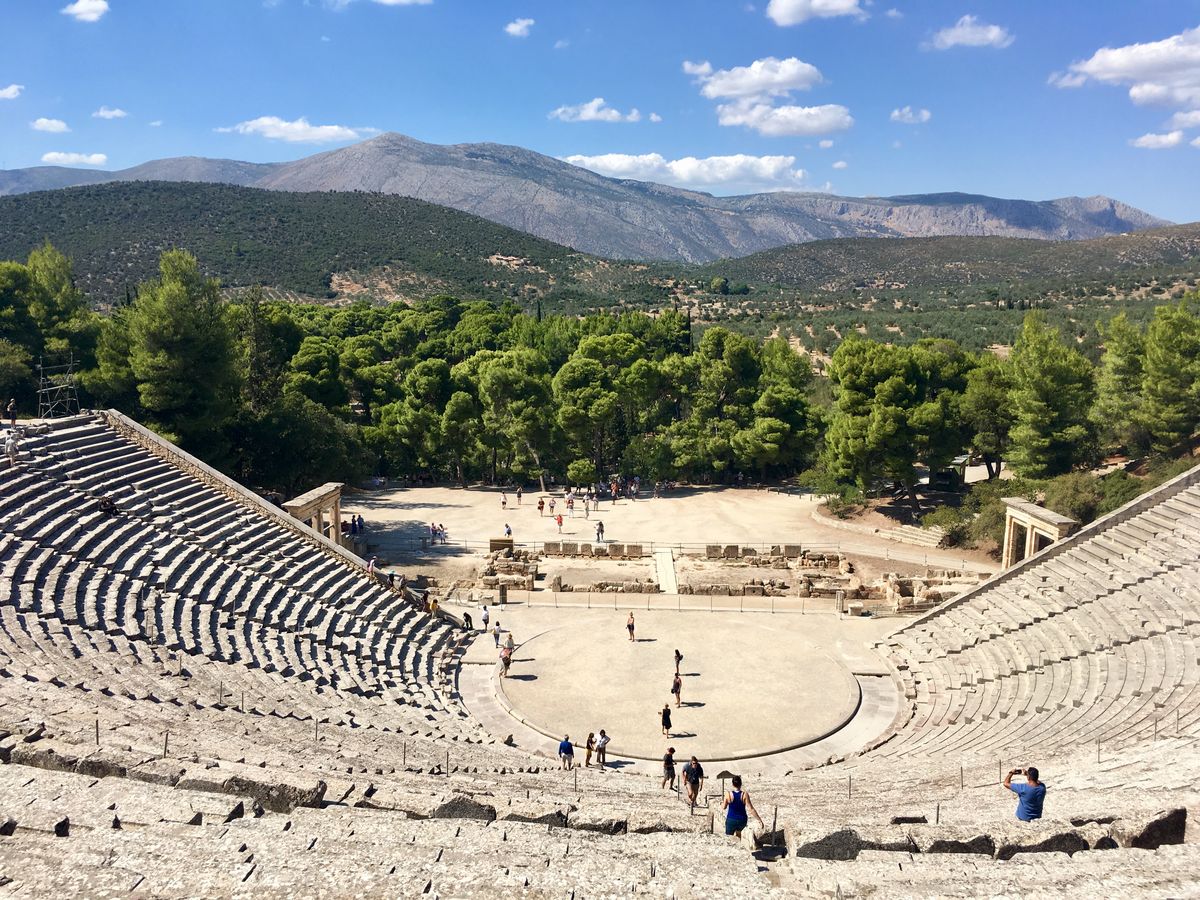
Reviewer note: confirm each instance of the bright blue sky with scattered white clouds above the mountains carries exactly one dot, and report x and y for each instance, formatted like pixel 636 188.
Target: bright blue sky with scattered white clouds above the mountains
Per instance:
pixel 1019 99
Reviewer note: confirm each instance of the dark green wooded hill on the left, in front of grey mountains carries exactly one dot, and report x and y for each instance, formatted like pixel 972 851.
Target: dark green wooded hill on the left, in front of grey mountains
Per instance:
pixel 292 242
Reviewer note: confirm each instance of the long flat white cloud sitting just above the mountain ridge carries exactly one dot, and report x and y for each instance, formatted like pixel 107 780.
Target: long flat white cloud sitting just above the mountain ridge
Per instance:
pixel 739 173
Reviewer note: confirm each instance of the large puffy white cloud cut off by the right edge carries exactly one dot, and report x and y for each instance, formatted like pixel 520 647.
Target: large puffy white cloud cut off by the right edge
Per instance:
pixel 1166 71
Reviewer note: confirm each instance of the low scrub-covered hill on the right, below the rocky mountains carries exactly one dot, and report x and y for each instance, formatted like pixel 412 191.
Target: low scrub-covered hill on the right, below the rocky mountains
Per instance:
pixel 839 266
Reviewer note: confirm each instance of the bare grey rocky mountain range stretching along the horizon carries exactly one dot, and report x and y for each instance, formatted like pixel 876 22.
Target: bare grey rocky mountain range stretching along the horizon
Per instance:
pixel 617 218
